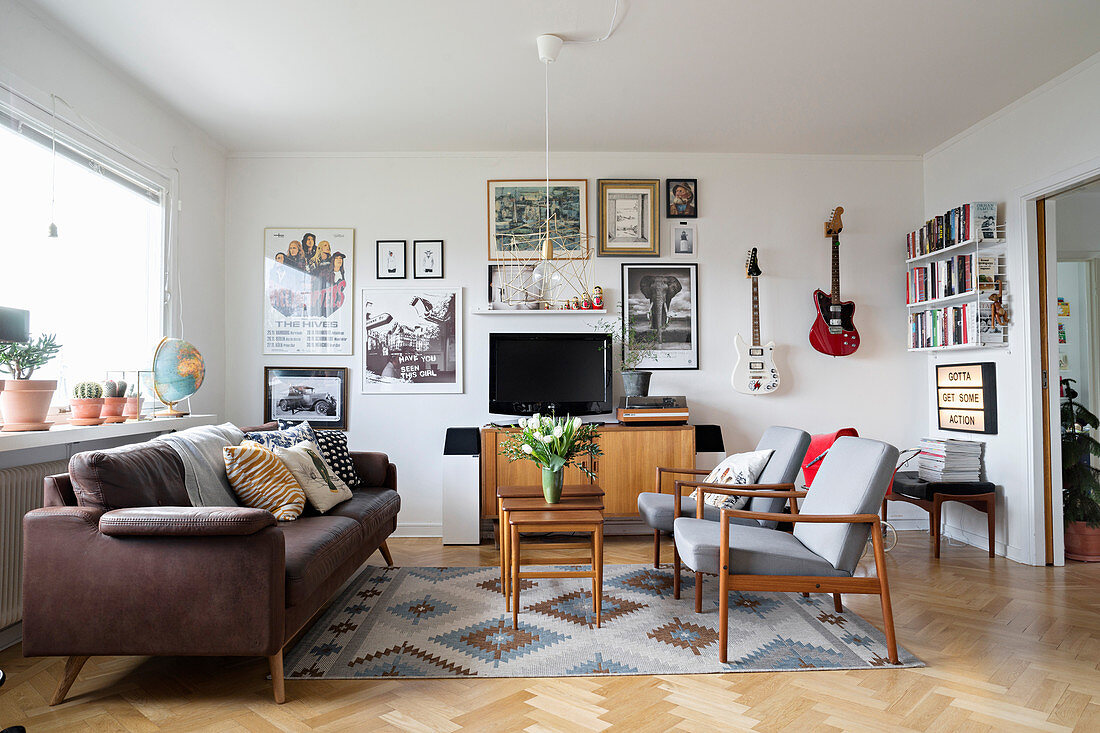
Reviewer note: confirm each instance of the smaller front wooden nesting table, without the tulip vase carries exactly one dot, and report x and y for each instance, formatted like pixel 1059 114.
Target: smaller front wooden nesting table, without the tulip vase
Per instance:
pixel 588 521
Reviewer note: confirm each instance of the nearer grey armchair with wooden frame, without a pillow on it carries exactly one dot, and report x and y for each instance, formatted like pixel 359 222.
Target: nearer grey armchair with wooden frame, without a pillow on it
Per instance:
pixel 830 534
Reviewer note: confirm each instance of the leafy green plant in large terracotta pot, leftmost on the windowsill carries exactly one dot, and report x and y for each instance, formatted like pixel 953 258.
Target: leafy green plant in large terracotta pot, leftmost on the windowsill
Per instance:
pixel 25 402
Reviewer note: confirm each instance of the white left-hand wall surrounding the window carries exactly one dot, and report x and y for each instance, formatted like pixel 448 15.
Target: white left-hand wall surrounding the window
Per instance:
pixel 38 60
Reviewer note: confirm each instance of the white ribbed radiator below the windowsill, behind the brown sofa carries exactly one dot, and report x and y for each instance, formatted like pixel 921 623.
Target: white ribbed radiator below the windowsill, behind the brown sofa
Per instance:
pixel 20 493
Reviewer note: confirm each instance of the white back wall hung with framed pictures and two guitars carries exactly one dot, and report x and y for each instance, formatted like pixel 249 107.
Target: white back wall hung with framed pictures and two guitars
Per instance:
pixel 775 203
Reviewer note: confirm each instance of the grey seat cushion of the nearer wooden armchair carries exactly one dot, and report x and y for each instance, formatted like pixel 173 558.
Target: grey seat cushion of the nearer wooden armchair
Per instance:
pixel 753 551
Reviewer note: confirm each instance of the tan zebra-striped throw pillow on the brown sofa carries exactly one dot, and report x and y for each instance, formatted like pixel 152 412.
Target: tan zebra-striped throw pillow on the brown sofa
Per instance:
pixel 262 482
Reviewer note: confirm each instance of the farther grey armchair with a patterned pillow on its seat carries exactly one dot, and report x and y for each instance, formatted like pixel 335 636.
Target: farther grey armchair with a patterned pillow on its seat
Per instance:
pixel 661 510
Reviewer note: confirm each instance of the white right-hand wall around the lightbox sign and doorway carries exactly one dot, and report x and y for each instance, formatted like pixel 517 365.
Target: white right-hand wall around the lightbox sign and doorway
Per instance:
pixel 1051 130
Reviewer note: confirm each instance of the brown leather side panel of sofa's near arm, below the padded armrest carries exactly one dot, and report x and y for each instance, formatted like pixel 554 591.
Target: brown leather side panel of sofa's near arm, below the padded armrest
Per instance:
pixel 86 593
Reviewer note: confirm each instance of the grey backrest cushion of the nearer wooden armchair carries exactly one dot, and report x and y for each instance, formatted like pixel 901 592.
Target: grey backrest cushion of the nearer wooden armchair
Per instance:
pixel 853 479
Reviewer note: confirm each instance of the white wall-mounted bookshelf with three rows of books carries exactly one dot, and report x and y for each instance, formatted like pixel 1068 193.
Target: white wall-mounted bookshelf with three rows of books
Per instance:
pixel 954 264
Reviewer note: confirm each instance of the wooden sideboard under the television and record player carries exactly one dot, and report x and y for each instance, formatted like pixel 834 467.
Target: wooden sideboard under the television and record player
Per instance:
pixel 628 468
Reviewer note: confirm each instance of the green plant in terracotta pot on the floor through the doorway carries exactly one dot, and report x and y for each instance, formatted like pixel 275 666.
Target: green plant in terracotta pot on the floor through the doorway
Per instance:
pixel 1081 480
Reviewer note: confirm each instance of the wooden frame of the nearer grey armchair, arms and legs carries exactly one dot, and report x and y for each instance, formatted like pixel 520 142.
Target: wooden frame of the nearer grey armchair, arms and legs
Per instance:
pixel 878 585
